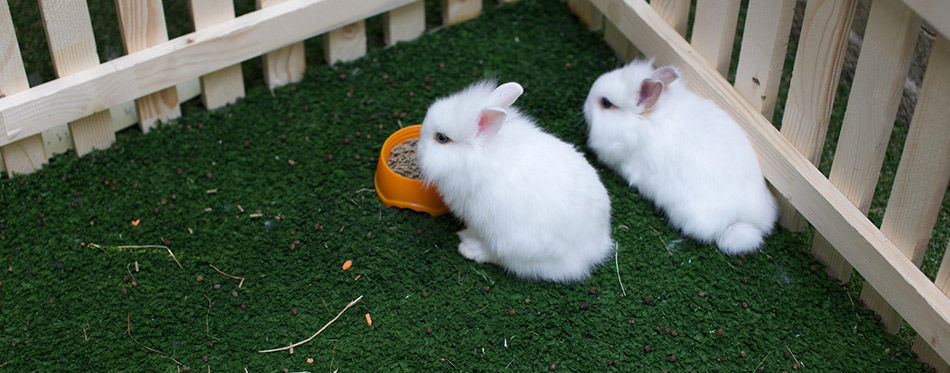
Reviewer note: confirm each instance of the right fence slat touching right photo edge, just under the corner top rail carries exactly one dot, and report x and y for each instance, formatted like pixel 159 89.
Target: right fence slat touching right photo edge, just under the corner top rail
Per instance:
pixel 922 175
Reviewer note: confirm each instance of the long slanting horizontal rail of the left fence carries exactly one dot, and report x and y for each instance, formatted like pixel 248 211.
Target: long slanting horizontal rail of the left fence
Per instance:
pixel 45 106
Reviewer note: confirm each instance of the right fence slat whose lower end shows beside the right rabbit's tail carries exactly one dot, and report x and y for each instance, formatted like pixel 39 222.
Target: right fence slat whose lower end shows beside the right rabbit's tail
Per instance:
pixel 811 94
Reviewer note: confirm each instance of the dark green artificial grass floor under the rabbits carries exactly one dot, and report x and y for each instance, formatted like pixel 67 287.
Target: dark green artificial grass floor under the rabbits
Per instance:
pixel 304 158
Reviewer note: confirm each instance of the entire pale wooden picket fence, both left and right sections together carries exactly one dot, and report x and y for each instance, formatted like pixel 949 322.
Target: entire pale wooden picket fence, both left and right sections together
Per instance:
pixel 147 84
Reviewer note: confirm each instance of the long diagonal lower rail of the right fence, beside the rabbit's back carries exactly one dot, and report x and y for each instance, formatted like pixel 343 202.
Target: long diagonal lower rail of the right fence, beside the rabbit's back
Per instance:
pixel 916 298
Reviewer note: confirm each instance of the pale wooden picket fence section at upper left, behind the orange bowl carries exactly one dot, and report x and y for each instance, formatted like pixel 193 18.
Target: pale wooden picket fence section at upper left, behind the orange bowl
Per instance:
pixel 89 101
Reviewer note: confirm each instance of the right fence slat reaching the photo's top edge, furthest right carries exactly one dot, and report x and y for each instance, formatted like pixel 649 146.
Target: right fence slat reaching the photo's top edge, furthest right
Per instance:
pixel 879 77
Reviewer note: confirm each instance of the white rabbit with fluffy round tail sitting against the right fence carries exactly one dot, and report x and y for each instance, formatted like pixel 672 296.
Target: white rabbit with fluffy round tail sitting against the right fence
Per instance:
pixel 682 152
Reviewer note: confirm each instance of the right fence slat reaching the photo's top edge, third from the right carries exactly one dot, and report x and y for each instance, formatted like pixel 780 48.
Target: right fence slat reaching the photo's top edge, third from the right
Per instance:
pixel 762 54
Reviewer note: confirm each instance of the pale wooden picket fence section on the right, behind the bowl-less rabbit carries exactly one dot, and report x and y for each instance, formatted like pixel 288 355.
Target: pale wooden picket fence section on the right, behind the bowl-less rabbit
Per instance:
pixel 889 257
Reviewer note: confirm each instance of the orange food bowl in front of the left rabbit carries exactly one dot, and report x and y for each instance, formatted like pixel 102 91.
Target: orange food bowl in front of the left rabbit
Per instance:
pixel 400 191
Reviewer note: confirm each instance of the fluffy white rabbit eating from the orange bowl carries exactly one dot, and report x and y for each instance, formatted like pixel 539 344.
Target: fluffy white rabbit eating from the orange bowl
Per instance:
pixel 532 204
